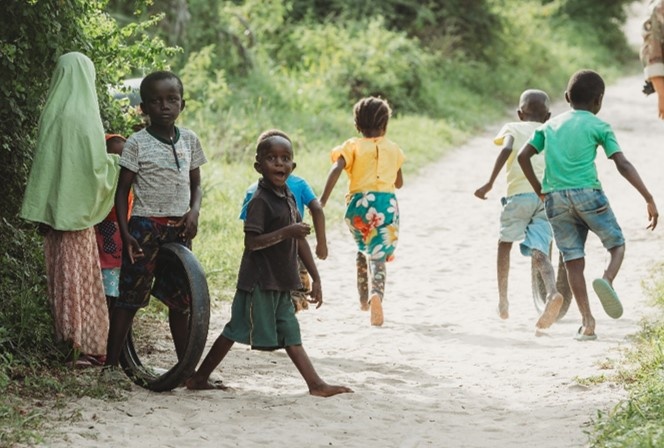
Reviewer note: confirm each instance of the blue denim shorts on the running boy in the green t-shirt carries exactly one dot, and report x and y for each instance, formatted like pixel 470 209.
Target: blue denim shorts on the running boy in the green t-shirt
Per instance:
pixel 572 213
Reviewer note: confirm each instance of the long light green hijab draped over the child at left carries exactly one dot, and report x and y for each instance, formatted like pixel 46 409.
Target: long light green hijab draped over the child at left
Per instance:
pixel 72 180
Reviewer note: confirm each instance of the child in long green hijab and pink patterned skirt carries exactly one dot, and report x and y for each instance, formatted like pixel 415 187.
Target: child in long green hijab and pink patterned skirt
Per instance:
pixel 70 189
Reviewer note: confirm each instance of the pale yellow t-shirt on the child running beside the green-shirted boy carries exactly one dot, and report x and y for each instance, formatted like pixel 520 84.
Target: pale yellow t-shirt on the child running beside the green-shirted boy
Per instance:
pixel 516 180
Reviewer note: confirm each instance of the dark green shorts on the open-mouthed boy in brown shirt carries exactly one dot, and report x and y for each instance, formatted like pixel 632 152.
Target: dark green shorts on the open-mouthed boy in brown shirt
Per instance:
pixel 265 320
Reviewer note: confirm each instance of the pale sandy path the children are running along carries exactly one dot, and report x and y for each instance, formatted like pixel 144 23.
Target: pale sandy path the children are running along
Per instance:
pixel 443 370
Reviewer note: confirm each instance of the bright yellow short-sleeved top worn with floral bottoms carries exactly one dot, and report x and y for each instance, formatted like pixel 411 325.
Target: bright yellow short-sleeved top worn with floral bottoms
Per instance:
pixel 371 163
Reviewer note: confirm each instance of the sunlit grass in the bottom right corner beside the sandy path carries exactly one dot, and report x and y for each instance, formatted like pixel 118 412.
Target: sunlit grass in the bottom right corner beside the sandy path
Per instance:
pixel 639 420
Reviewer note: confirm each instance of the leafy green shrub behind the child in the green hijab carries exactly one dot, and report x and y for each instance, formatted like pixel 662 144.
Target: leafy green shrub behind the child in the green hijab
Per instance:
pixel 33 34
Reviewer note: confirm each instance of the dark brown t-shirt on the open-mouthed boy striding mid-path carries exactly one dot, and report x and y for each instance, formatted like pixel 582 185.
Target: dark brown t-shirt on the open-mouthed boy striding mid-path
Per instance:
pixel 273 268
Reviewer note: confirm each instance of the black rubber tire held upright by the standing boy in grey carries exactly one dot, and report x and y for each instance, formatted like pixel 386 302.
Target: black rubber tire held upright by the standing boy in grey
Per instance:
pixel 159 379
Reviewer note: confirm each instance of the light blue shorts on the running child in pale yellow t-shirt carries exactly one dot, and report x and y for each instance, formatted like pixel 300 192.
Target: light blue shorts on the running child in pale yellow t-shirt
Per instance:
pixel 524 219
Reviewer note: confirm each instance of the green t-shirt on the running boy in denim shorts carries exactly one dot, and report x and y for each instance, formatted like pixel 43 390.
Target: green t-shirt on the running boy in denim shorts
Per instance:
pixel 569 142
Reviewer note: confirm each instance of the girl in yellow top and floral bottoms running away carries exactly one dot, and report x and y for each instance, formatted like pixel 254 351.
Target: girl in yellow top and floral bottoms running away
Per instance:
pixel 373 164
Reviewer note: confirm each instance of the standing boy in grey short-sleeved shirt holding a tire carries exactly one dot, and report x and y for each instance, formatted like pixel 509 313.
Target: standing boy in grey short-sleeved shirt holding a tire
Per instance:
pixel 162 164
